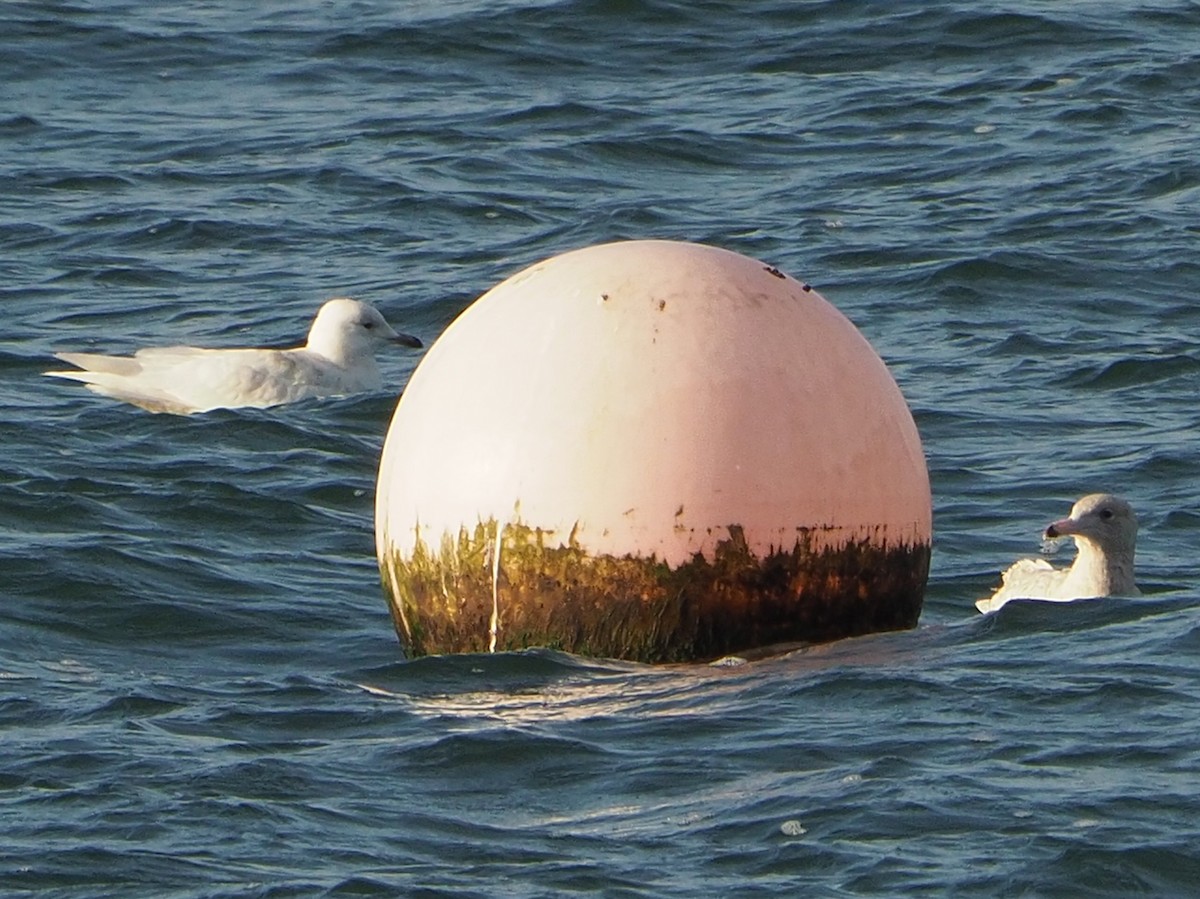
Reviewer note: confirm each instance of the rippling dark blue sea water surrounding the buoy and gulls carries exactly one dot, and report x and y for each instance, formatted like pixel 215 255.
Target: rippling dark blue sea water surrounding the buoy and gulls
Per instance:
pixel 201 692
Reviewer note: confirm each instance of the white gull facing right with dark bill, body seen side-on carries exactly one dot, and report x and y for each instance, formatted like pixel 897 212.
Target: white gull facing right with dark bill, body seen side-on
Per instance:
pixel 338 359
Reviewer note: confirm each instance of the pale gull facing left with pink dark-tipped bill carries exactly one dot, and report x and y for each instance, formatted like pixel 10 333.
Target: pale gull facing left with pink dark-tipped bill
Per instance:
pixel 1106 532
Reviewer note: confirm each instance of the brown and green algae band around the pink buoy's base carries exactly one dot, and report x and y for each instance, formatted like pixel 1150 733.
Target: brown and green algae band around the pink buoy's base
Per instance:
pixel 640 609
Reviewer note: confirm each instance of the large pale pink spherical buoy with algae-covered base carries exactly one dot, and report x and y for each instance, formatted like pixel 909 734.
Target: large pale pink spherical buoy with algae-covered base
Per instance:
pixel 651 451
